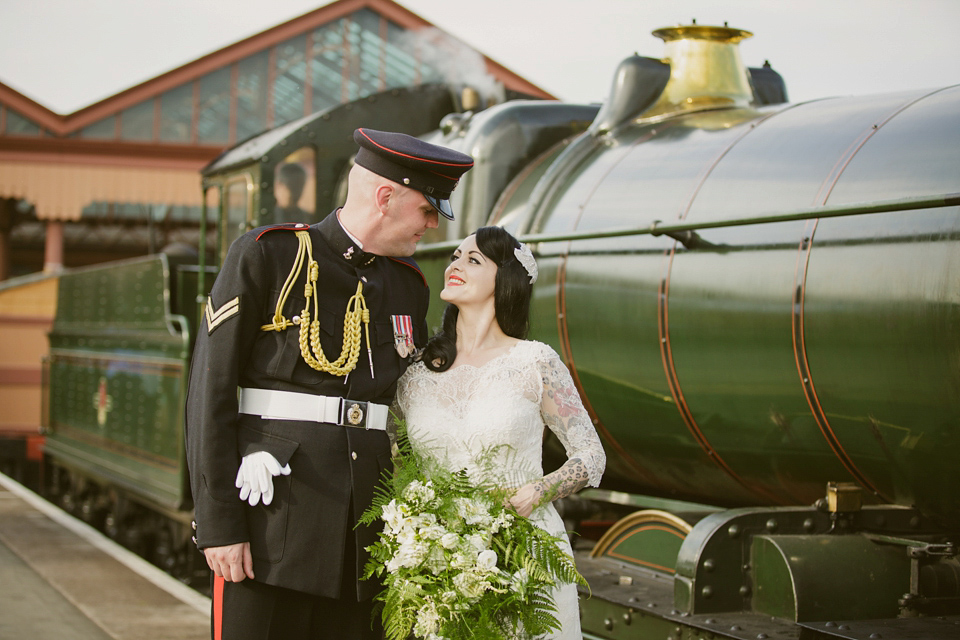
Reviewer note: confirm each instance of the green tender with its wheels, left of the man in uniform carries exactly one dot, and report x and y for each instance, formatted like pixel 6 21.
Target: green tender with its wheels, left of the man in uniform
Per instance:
pixel 116 376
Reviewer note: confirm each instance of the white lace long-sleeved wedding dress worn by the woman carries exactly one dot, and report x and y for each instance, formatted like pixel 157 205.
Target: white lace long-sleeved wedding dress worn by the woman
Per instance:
pixel 465 412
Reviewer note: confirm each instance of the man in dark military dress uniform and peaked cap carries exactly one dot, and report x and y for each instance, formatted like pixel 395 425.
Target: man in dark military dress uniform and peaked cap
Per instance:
pixel 285 437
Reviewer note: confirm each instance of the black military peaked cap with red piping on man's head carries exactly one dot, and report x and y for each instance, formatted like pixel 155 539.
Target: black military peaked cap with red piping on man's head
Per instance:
pixel 430 169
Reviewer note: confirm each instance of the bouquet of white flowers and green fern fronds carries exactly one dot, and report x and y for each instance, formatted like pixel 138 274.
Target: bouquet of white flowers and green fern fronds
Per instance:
pixel 455 562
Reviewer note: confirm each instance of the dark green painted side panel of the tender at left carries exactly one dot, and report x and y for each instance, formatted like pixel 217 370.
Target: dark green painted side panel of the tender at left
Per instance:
pixel 117 373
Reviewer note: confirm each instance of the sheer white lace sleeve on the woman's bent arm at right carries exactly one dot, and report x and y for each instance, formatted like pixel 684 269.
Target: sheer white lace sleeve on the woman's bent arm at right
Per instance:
pixel 563 413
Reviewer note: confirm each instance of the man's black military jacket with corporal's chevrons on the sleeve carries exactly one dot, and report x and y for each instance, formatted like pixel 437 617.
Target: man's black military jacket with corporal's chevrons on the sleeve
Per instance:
pixel 298 540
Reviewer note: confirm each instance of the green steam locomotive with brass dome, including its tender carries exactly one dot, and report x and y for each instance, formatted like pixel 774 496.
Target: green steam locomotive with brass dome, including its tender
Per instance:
pixel 759 301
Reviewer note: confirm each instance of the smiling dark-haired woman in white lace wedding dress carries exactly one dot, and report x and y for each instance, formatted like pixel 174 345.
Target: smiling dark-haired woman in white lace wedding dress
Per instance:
pixel 480 387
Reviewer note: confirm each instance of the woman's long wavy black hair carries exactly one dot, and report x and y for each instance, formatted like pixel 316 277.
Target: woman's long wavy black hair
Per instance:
pixel 511 299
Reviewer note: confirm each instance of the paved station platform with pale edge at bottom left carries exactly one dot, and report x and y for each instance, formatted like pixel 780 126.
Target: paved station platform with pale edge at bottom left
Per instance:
pixel 59 578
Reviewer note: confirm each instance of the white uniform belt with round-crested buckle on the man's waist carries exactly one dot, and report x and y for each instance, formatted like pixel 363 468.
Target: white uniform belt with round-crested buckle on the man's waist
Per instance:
pixel 288 405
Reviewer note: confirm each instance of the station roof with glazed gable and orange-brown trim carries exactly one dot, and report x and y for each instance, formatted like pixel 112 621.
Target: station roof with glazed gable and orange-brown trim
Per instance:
pixel 146 144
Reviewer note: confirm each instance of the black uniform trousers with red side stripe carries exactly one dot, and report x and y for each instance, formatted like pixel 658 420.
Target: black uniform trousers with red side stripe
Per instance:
pixel 251 610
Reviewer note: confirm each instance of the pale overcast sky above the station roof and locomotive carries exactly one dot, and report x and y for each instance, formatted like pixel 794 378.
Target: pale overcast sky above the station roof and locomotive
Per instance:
pixel 68 54
